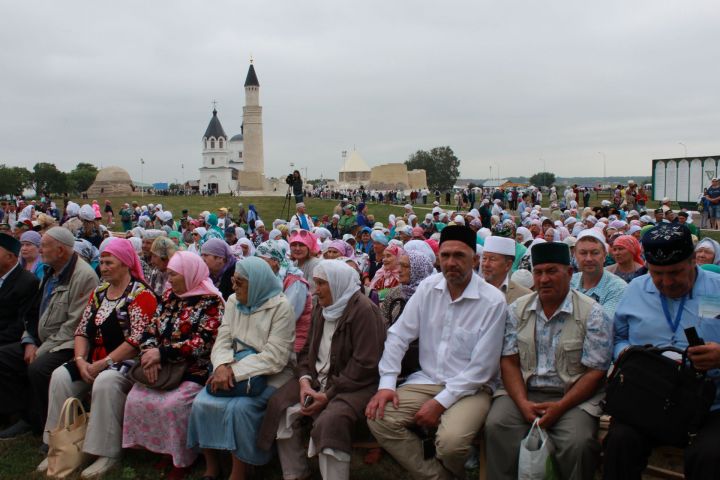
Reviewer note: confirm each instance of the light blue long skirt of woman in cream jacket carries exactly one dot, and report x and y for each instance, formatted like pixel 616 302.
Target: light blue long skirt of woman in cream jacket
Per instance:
pixel 229 423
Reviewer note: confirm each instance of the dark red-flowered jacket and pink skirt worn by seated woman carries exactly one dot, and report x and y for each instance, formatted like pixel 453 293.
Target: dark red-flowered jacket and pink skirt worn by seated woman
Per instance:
pixel 184 329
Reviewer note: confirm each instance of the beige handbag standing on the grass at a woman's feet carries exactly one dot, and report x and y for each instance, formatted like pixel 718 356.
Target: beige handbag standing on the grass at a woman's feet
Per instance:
pixel 65 453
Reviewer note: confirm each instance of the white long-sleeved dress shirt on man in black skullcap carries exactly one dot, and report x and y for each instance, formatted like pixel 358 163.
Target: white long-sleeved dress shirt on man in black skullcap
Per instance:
pixel 460 340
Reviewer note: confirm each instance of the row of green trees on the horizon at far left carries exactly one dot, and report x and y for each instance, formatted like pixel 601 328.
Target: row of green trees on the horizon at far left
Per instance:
pixel 45 177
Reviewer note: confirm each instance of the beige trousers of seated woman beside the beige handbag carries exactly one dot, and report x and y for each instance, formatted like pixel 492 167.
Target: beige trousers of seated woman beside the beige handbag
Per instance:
pixel 104 432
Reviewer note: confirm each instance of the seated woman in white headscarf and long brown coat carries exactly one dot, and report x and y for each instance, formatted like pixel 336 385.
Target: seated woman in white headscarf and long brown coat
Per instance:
pixel 337 375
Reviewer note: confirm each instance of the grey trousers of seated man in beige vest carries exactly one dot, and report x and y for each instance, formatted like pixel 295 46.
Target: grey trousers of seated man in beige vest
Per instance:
pixel 574 438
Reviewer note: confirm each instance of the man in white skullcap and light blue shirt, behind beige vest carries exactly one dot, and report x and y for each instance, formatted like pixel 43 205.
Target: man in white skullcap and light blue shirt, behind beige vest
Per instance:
pixel 592 279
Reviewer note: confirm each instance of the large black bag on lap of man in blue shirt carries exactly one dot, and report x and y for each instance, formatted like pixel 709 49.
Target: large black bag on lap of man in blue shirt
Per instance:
pixel 663 399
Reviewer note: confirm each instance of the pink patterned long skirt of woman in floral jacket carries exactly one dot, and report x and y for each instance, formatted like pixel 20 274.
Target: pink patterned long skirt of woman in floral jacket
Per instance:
pixel 157 420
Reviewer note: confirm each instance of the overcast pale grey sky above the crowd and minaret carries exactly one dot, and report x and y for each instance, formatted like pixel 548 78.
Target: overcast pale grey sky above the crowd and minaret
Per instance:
pixel 504 83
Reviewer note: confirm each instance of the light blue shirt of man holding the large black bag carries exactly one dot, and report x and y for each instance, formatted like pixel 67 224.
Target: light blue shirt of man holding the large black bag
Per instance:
pixel 640 320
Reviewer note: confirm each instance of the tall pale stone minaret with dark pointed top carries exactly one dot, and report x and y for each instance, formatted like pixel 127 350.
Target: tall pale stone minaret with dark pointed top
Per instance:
pixel 253 178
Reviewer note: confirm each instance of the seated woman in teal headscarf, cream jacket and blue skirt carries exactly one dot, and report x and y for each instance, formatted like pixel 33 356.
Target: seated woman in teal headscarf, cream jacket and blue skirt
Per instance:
pixel 254 341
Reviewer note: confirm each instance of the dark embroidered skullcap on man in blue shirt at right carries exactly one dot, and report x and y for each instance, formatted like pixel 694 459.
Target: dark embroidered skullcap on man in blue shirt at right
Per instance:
pixel 667 244
